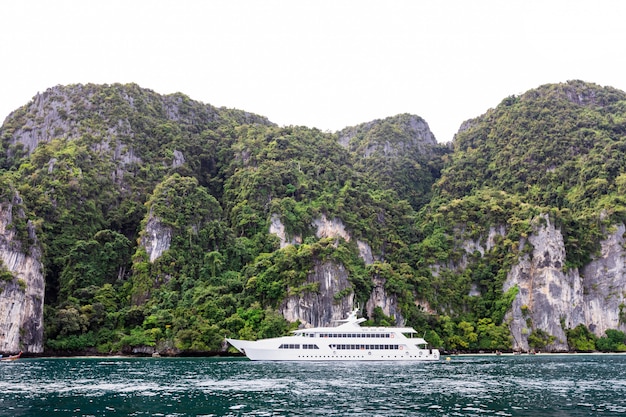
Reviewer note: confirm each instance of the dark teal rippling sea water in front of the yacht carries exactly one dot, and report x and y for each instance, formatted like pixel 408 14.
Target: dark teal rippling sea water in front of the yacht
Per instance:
pixel 540 385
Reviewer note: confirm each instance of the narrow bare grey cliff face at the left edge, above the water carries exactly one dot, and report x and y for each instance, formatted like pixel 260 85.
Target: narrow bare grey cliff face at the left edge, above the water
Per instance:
pixel 22 295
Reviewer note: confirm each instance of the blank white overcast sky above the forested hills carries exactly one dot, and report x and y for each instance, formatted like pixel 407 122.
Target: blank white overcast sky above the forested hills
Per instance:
pixel 325 64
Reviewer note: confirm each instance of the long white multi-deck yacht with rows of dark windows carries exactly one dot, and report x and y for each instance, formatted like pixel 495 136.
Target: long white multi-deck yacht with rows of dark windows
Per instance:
pixel 346 342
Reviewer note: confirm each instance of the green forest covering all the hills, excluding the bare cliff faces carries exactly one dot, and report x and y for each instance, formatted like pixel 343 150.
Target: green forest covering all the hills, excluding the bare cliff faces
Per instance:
pixel 116 164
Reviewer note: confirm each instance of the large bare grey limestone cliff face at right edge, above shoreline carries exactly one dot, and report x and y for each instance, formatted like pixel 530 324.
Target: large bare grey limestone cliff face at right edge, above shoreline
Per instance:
pixel 551 299
